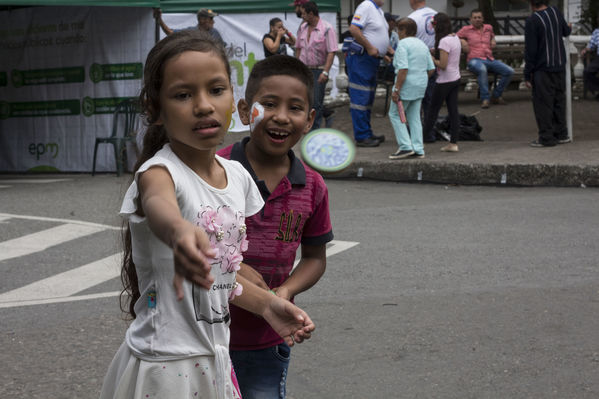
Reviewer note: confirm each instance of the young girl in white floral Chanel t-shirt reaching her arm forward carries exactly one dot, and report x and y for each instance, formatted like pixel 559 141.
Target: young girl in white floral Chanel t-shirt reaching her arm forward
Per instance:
pixel 186 232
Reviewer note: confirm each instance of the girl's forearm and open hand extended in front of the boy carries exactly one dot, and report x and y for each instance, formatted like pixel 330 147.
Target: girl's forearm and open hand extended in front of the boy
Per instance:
pixel 289 321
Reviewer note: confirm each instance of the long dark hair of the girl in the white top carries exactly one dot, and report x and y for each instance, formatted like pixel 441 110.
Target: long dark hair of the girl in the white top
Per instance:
pixel 156 136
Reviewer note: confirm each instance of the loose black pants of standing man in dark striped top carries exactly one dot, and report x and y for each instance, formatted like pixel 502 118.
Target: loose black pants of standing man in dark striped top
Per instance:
pixel 549 104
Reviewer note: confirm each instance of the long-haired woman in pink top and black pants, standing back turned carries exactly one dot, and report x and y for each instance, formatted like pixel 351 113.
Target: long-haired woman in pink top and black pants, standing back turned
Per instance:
pixel 447 61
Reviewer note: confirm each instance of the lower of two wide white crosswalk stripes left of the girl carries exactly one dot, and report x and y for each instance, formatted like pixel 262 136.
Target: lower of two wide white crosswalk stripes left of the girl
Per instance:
pixel 65 284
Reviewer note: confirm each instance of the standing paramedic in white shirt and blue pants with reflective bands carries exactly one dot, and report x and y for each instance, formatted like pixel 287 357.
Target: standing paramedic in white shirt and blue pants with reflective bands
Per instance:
pixel 370 30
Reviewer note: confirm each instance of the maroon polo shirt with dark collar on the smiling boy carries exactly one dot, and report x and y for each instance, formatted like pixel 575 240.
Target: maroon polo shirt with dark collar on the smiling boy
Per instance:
pixel 296 212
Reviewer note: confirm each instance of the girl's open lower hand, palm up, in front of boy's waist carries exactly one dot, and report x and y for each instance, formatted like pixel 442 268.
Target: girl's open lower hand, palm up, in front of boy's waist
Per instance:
pixel 289 321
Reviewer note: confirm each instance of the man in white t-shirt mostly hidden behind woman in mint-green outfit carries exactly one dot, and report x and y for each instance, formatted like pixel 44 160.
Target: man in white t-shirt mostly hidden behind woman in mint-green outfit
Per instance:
pixel 423 16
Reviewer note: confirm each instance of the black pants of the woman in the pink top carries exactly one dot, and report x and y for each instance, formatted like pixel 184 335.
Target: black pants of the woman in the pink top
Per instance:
pixel 447 92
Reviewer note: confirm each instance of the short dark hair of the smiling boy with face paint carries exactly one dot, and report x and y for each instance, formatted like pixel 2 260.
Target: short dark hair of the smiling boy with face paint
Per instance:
pixel 279 65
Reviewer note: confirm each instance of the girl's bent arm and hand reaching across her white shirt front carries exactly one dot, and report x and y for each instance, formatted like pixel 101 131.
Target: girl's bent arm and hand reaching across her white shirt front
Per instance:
pixel 190 244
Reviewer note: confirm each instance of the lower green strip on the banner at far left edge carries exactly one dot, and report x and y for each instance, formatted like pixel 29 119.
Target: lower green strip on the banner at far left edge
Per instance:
pixel 39 108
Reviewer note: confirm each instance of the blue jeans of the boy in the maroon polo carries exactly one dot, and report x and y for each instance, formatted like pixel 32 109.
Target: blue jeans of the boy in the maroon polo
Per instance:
pixel 262 373
